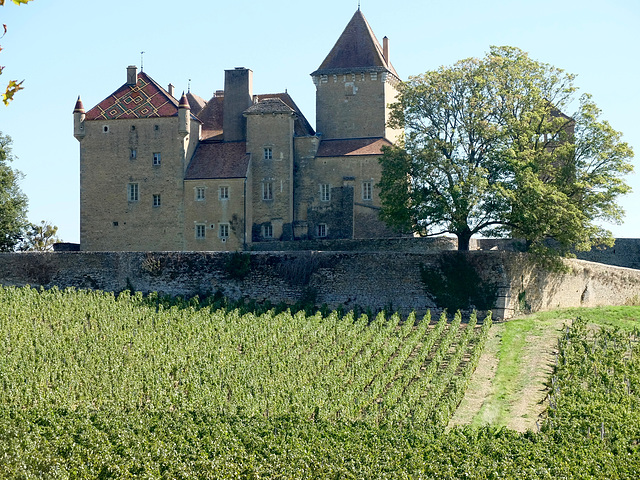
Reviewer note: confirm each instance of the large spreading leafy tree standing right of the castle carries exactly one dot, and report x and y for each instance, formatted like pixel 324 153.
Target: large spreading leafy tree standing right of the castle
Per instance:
pixel 489 149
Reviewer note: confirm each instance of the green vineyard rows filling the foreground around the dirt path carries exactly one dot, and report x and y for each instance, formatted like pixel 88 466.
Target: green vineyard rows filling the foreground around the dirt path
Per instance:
pixel 97 385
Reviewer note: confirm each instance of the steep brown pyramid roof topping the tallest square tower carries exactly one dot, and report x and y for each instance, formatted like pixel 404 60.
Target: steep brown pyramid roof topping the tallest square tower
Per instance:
pixel 357 49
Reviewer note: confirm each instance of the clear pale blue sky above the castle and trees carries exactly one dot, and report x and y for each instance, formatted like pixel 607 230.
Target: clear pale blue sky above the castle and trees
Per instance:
pixel 66 48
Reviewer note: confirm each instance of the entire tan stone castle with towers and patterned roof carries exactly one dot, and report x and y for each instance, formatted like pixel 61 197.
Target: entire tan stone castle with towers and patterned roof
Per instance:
pixel 159 173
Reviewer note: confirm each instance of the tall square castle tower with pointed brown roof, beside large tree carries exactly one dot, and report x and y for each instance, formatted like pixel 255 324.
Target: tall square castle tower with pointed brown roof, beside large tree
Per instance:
pixel 355 85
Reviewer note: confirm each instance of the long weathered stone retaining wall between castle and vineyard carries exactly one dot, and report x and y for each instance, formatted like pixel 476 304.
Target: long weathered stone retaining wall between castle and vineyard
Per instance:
pixel 404 281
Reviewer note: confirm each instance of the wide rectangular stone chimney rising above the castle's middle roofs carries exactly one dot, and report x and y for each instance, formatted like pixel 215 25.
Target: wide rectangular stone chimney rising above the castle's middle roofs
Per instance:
pixel 238 96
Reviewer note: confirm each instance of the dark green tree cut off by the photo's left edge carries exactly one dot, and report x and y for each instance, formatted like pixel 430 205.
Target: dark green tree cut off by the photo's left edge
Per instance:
pixel 13 203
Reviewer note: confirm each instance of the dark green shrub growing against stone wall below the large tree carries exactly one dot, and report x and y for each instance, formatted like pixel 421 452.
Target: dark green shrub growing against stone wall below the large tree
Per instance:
pixel 454 284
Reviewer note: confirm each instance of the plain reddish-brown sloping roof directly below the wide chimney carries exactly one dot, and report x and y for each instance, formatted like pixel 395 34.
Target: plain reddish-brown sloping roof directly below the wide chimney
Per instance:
pixel 218 160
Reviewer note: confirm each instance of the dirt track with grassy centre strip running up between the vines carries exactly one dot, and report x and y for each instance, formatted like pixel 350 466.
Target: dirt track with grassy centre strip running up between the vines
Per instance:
pixel 509 385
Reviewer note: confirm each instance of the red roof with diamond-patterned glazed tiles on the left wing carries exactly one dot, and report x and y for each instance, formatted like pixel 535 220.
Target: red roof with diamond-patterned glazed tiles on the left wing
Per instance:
pixel 145 99
